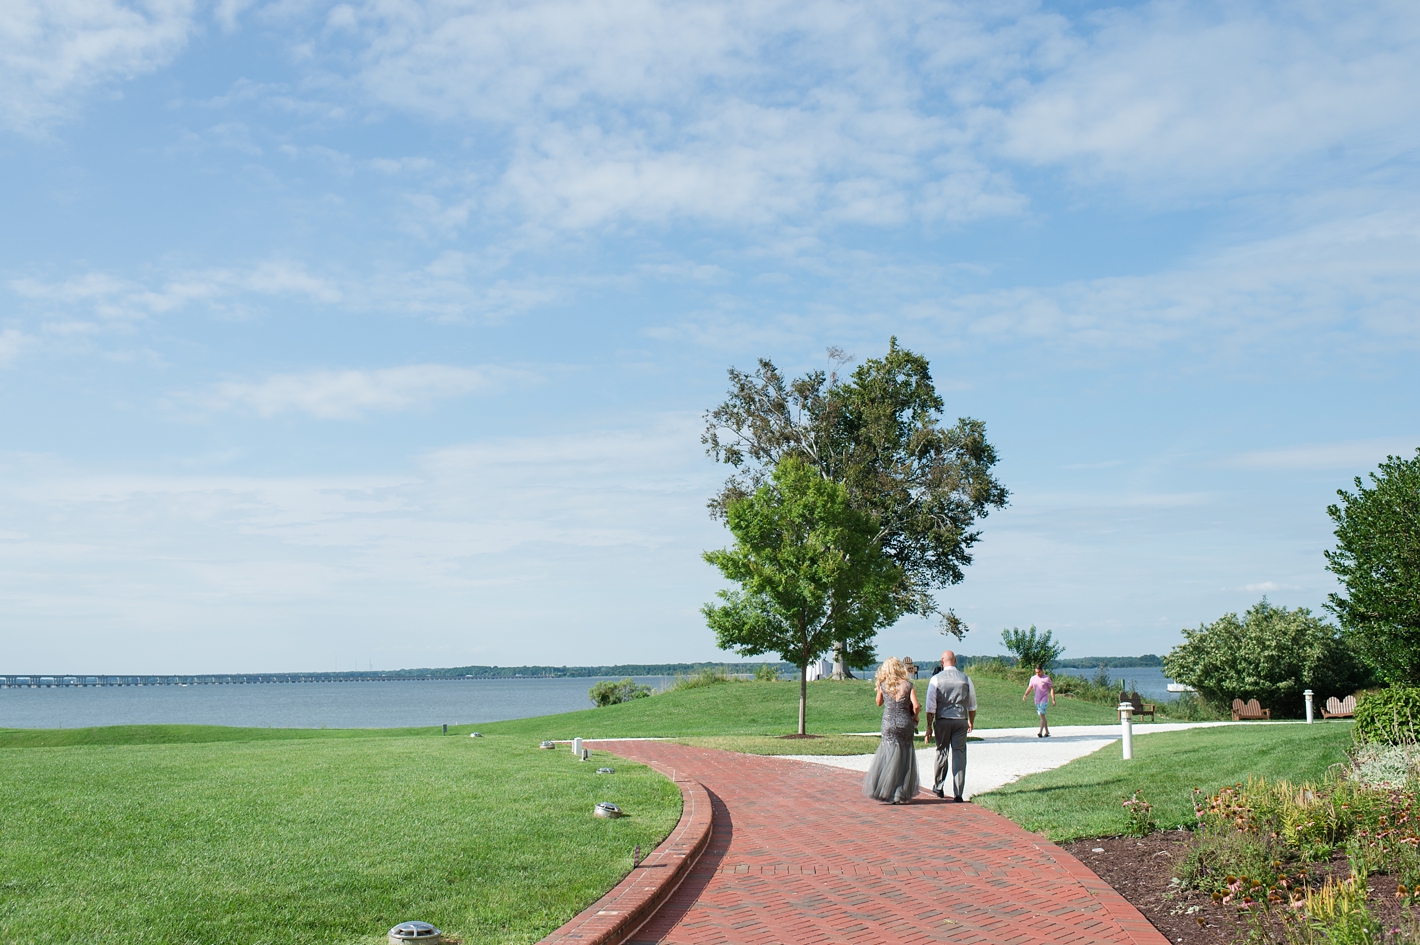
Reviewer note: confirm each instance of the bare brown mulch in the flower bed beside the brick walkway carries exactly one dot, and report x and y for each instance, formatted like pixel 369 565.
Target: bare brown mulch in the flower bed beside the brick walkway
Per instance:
pixel 1141 870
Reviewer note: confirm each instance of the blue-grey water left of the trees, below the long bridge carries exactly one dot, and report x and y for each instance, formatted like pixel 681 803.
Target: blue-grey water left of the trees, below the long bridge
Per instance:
pixel 306 706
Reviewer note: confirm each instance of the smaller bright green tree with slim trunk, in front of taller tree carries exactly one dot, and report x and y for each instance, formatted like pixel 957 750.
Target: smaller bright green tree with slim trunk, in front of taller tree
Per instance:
pixel 809 569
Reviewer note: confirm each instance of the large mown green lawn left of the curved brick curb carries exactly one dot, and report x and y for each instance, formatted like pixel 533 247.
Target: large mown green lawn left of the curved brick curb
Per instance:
pixel 191 835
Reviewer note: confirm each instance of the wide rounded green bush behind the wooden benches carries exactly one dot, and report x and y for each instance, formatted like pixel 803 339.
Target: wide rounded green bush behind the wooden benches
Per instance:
pixel 1273 654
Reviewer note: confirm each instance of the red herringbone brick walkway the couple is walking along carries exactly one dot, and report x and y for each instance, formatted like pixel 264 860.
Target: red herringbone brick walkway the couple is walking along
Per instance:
pixel 799 855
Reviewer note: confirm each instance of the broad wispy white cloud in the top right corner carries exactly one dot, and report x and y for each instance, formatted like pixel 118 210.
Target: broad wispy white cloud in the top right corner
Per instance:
pixel 1208 96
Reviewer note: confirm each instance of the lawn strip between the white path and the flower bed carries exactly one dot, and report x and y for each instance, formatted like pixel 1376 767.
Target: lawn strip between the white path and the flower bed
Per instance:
pixel 1084 799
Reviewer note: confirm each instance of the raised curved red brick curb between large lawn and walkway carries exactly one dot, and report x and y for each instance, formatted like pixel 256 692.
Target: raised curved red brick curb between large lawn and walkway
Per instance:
pixel 617 916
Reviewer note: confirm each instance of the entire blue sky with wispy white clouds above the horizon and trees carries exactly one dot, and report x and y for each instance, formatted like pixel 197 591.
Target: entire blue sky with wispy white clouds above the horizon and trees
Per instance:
pixel 380 335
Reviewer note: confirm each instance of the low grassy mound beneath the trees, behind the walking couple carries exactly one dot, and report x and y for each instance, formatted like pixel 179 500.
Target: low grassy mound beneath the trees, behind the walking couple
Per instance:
pixel 772 708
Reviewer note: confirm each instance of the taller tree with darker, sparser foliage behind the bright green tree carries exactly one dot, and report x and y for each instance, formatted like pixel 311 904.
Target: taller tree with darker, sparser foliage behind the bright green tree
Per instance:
pixel 922 485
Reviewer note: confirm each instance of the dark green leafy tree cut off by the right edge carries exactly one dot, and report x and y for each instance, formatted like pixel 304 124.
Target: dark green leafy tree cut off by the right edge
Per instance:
pixel 1378 561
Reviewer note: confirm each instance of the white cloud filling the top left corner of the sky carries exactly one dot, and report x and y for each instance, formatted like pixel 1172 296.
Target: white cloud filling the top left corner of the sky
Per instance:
pixel 52 52
